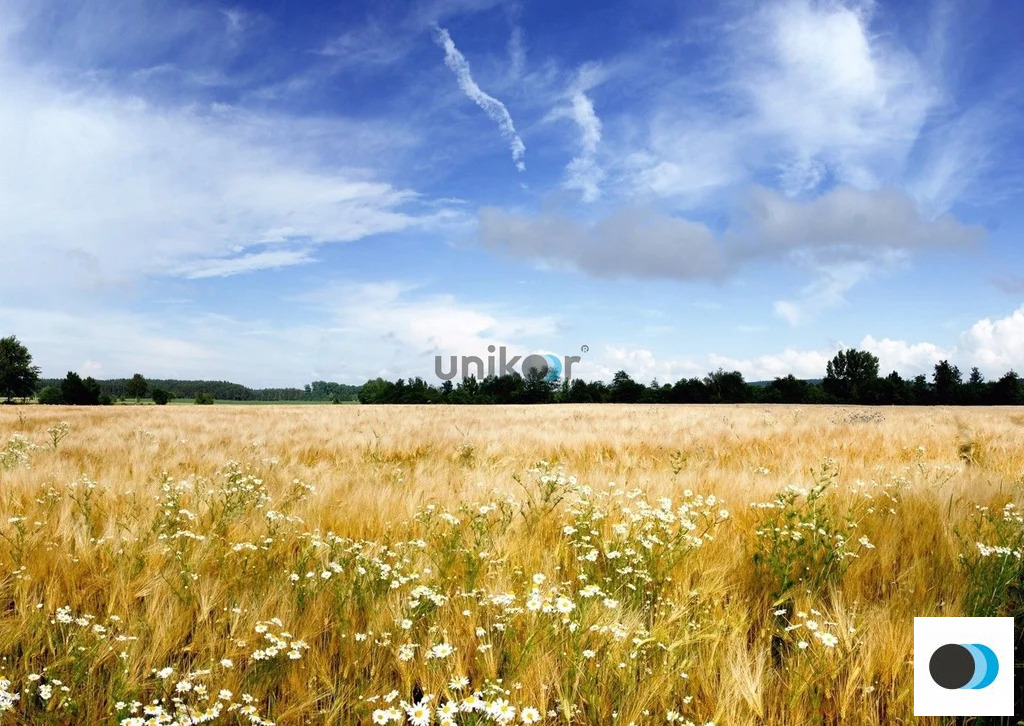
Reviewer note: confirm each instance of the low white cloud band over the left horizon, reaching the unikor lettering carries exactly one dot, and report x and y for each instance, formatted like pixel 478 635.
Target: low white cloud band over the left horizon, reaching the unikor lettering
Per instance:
pixel 349 332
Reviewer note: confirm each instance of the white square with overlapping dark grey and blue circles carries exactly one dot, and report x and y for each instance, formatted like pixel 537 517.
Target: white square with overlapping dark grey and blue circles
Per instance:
pixel 964 667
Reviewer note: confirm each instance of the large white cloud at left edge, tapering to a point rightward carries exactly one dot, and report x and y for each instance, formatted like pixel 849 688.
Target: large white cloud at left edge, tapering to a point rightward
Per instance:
pixel 132 189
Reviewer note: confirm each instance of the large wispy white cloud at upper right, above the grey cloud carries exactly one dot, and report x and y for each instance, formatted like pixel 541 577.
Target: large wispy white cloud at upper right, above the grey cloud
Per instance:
pixel 807 94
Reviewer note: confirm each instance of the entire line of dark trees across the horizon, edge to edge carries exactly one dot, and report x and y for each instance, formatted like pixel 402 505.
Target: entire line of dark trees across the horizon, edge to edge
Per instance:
pixel 851 377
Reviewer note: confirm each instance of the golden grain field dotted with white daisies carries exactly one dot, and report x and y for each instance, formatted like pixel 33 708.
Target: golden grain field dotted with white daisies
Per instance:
pixel 592 565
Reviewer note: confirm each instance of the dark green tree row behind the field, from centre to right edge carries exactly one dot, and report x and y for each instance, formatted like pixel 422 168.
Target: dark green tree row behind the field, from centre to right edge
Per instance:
pixel 851 377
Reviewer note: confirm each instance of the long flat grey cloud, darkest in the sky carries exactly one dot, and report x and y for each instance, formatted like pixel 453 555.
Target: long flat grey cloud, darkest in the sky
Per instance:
pixel 854 230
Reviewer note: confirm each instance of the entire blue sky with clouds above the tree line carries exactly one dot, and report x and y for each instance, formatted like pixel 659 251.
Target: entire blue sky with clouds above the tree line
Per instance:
pixel 274 193
